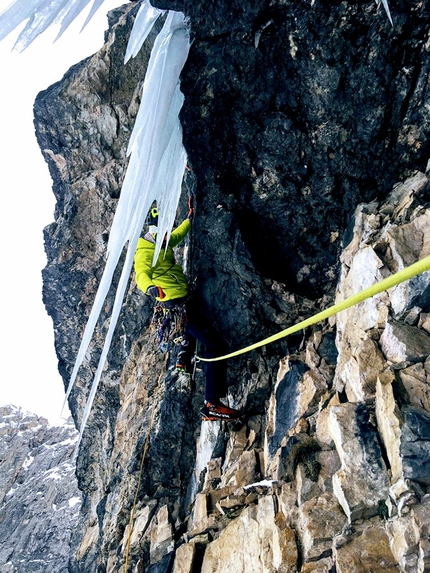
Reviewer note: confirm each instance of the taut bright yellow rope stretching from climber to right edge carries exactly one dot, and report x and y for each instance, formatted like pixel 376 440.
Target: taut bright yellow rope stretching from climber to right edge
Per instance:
pixel 393 280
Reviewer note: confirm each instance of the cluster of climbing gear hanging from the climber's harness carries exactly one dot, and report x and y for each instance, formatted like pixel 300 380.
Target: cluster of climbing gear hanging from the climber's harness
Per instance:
pixel 170 325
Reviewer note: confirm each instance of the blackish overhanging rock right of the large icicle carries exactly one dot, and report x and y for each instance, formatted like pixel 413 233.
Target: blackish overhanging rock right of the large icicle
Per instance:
pixel 293 115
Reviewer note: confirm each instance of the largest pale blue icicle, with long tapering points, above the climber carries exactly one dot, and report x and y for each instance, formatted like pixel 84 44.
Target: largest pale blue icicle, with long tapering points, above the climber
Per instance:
pixel 155 172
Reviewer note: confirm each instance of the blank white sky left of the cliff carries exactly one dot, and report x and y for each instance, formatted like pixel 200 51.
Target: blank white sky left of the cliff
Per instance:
pixel 29 377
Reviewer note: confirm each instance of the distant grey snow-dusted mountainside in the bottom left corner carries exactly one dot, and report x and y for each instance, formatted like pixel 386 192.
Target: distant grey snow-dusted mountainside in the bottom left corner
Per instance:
pixel 39 496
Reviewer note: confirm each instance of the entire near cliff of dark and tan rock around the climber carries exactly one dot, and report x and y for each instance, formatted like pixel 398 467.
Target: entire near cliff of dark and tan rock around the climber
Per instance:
pixel 307 130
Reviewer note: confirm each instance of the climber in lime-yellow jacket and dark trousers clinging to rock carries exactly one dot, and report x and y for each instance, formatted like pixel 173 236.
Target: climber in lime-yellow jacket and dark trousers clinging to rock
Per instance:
pixel 167 284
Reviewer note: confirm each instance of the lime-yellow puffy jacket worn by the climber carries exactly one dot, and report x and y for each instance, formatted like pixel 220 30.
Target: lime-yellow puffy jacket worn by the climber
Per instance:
pixel 166 273
